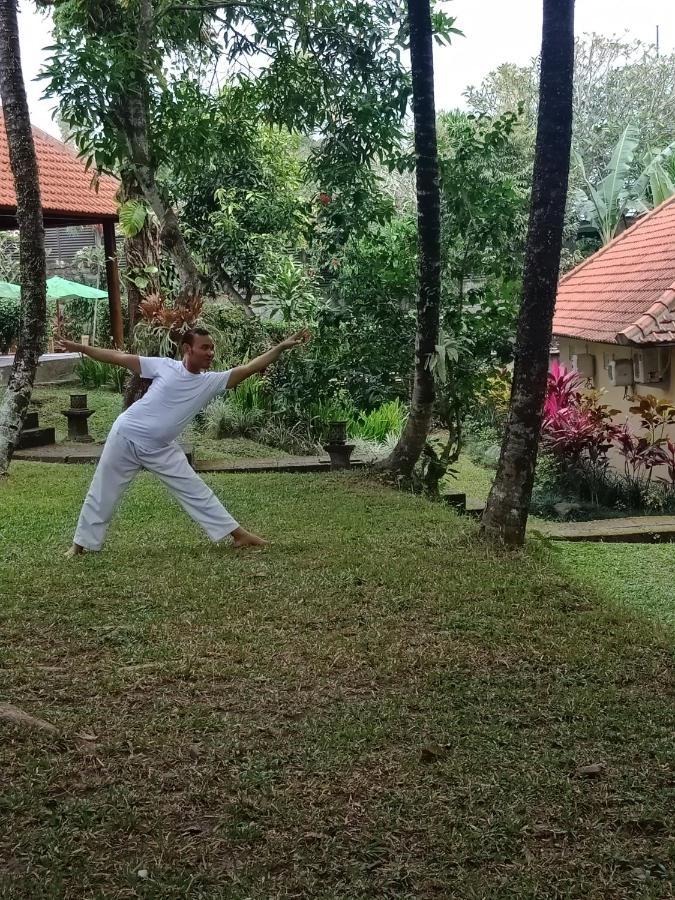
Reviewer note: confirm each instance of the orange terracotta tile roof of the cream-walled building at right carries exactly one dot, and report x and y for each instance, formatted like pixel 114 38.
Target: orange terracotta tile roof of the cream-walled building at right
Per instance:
pixel 624 293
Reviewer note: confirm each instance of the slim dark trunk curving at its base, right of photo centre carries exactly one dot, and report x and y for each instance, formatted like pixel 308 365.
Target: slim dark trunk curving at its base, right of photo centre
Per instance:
pixel 412 440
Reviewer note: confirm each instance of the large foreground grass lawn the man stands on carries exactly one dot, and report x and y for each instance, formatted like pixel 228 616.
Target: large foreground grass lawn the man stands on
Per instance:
pixel 373 707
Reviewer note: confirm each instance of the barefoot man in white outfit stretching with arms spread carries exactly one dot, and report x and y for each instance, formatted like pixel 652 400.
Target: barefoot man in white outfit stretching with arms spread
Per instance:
pixel 144 436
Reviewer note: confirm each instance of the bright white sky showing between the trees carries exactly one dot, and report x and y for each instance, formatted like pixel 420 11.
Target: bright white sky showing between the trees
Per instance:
pixel 496 31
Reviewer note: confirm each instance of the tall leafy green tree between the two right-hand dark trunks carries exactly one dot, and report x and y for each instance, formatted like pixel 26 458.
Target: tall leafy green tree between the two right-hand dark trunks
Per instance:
pixel 484 206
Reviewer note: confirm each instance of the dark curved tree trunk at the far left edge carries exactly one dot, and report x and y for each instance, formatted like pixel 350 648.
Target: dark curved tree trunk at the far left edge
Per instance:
pixel 31 235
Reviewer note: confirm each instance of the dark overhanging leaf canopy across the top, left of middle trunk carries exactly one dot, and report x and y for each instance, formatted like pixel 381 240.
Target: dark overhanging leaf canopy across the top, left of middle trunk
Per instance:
pixel 333 69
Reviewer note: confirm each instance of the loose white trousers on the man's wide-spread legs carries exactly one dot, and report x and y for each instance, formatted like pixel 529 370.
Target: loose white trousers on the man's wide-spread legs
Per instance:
pixel 120 462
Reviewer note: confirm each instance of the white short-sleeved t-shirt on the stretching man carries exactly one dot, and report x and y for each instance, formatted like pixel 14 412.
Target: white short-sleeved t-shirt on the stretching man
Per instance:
pixel 172 401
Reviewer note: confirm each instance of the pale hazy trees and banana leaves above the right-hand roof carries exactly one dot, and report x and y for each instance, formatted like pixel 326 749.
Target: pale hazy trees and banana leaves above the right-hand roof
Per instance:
pixel 616 81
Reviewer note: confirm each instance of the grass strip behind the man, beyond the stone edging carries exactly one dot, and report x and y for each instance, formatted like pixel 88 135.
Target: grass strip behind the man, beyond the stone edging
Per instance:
pixel 49 401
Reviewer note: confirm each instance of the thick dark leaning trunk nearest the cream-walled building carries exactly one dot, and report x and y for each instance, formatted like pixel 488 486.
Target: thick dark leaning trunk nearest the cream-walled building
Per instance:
pixel 505 518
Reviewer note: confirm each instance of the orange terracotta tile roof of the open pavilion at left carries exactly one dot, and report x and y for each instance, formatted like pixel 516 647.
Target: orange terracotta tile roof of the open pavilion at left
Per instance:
pixel 64 184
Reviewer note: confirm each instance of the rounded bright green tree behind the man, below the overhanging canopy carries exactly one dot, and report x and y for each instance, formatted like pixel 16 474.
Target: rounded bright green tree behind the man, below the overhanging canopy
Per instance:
pixel 246 201
